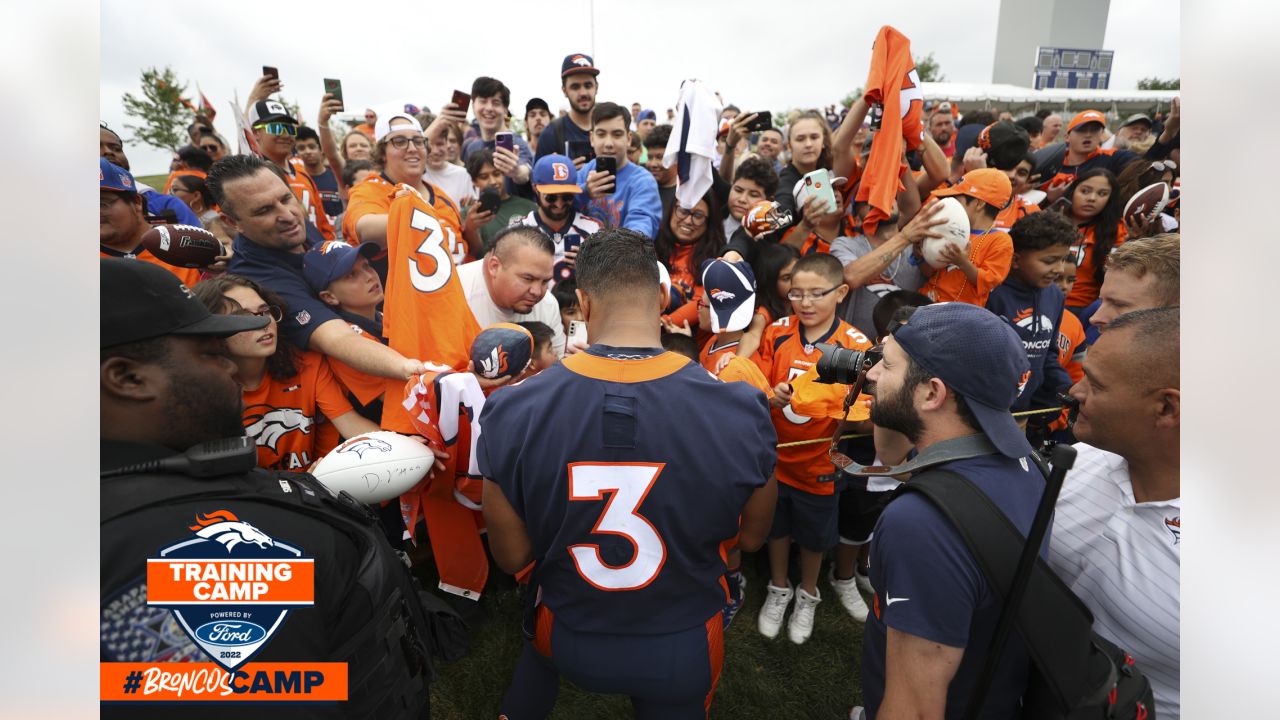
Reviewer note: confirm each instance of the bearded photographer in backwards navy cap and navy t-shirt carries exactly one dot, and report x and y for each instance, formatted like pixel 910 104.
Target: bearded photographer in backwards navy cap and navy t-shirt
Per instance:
pixel 948 377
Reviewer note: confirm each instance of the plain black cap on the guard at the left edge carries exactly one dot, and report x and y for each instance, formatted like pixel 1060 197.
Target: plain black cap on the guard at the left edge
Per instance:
pixel 140 302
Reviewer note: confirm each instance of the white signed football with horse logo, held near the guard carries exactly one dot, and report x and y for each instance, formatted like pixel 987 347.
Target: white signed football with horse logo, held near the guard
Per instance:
pixel 376 467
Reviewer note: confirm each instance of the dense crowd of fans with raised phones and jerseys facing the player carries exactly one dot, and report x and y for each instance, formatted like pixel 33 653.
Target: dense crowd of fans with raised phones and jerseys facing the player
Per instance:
pixel 381 250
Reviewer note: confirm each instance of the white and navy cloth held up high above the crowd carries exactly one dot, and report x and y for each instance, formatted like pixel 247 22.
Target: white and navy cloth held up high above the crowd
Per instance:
pixel 693 142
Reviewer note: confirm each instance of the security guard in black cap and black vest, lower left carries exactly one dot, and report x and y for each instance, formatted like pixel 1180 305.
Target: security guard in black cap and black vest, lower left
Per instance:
pixel 176 459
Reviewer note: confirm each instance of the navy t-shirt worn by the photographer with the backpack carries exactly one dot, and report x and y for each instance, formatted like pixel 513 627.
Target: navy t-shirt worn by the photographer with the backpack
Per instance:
pixel 930 586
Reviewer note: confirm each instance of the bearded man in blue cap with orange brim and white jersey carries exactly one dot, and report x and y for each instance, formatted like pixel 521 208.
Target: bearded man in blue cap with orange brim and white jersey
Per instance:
pixel 556 194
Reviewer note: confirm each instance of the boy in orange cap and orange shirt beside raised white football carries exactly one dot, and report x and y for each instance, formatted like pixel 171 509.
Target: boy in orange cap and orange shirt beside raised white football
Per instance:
pixel 972 276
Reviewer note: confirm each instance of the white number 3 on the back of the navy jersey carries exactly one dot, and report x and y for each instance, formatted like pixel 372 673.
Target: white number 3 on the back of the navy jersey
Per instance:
pixel 629 485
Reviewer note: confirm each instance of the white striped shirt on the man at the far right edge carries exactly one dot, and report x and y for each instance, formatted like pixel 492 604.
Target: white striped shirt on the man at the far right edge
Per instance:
pixel 1123 559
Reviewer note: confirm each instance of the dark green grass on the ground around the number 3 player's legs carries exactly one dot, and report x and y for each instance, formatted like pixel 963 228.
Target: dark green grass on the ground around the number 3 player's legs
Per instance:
pixel 761 678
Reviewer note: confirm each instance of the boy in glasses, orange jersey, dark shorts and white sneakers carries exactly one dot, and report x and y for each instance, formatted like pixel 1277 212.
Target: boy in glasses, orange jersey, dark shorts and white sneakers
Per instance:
pixel 807 511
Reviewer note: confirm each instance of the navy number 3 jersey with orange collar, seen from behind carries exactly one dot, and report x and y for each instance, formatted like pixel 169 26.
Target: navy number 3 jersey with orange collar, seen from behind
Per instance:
pixel 611 458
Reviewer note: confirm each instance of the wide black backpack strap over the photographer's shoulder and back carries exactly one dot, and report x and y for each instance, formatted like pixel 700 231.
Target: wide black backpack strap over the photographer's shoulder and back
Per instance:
pixel 1055 626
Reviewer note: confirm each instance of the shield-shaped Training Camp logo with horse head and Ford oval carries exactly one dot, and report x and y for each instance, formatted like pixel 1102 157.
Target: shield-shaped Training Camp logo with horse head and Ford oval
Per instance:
pixel 230 586
